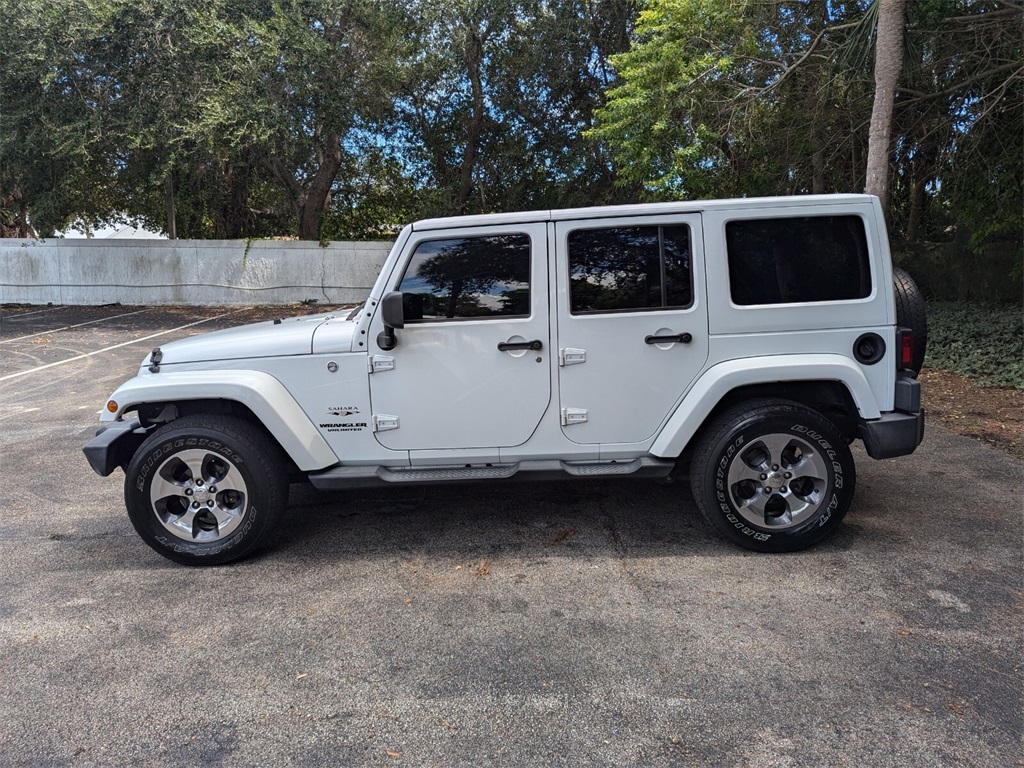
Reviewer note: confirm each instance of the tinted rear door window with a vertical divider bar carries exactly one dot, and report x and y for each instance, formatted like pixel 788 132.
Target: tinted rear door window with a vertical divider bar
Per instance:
pixel 629 269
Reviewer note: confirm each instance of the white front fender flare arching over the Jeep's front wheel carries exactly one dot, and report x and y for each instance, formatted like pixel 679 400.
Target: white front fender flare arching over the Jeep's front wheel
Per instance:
pixel 259 392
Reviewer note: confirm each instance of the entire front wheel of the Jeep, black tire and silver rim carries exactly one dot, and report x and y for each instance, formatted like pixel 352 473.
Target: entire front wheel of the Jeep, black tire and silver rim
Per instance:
pixel 173 494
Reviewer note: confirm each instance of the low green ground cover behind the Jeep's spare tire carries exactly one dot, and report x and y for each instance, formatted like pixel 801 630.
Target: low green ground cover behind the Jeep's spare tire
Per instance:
pixel 985 343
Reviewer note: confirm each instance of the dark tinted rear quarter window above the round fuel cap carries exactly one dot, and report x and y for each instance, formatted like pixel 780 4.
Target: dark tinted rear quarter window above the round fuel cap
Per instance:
pixel 797 261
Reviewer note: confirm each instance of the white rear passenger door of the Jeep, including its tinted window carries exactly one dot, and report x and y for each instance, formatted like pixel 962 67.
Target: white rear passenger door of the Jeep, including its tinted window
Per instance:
pixel 632 323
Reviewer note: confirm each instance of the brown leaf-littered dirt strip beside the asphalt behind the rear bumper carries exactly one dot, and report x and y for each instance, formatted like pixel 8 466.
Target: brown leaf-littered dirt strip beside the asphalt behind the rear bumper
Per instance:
pixel 993 415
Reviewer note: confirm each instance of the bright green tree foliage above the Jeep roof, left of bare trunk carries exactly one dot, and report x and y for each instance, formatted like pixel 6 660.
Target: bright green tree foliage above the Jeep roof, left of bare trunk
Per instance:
pixel 718 100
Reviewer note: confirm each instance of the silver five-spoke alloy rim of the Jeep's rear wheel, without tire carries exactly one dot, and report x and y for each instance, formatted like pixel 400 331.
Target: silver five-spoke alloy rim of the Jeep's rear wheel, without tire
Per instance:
pixel 778 481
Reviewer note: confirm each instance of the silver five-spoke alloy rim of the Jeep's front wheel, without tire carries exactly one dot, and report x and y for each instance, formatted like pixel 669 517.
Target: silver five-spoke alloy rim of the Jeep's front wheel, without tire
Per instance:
pixel 199 496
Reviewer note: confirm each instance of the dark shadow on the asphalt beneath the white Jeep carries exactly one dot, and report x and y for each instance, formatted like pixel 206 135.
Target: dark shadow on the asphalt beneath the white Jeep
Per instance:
pixel 542 520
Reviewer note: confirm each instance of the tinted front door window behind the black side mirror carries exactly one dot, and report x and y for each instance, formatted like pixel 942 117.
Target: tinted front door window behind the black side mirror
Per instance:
pixel 468 278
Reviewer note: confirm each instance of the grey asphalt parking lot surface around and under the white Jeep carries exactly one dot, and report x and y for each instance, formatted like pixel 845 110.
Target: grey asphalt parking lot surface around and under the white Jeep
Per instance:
pixel 530 625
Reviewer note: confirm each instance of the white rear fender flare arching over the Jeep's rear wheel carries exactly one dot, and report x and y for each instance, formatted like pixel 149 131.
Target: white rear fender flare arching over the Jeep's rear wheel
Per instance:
pixel 721 379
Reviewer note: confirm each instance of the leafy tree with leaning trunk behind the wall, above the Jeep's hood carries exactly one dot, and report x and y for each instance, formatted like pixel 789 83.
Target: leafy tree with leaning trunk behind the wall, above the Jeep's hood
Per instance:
pixel 297 87
